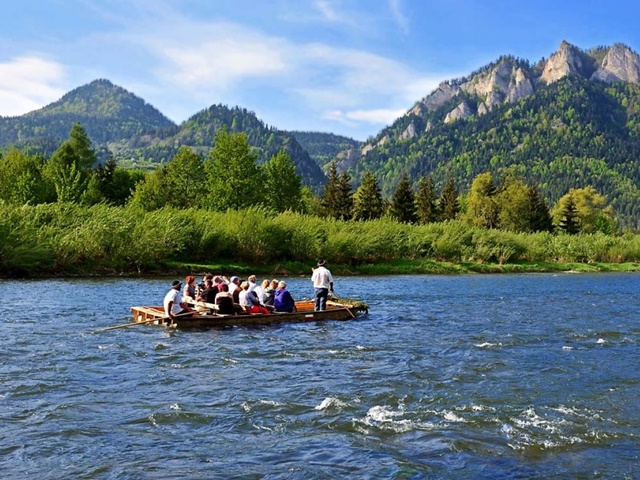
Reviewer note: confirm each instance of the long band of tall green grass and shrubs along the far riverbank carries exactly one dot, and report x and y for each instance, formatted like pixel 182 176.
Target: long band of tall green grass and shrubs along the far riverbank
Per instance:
pixel 67 238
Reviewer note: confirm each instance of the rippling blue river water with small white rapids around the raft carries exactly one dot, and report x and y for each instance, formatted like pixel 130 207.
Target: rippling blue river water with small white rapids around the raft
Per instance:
pixel 476 376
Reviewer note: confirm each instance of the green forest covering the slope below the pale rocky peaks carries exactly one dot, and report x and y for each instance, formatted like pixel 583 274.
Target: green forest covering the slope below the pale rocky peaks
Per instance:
pixel 569 134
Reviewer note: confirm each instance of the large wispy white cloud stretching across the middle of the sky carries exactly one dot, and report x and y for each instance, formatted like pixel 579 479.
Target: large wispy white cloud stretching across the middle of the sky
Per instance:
pixel 215 61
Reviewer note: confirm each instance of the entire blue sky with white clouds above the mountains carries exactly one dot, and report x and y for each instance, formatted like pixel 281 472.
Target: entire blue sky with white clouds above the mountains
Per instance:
pixel 348 67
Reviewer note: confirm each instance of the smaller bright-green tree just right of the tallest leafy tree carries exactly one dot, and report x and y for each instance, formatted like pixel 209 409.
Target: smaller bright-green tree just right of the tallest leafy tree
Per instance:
pixel 282 183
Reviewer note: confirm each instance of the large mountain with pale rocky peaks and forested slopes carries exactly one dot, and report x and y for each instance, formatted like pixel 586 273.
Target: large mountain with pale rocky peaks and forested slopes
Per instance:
pixel 568 121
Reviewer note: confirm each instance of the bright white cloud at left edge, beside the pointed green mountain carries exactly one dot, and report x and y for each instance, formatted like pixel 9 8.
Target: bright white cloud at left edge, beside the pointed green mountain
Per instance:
pixel 28 83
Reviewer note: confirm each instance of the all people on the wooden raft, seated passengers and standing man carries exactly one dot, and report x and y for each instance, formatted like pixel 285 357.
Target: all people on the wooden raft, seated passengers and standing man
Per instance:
pixel 233 296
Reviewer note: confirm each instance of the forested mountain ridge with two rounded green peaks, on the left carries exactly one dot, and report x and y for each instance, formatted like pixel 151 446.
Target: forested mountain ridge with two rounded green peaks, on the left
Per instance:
pixel 135 133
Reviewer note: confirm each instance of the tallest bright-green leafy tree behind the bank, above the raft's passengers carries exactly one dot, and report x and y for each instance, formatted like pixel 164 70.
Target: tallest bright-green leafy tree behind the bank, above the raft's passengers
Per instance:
pixel 233 178
